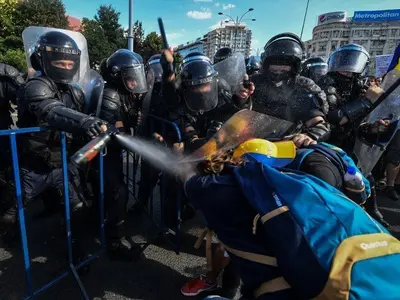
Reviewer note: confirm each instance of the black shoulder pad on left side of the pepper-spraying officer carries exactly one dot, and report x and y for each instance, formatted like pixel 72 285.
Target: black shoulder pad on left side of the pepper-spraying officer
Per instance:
pixel 40 88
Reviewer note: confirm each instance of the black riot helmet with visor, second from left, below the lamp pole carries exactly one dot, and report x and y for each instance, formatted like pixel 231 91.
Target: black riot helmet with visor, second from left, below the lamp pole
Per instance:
pixel 125 71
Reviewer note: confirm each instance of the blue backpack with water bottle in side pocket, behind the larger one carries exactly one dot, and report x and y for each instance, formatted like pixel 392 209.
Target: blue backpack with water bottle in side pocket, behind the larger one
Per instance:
pixel 339 158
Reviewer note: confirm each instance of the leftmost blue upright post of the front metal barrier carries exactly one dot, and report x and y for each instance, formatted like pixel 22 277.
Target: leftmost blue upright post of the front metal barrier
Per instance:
pixel 21 215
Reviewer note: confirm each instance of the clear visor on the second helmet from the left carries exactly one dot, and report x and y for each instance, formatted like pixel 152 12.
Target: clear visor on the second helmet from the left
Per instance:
pixel 134 79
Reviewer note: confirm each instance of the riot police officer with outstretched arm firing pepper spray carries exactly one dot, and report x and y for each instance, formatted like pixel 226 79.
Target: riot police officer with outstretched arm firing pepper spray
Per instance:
pixel 50 99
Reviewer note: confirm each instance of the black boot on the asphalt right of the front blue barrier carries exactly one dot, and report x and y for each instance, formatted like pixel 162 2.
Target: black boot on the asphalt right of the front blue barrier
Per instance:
pixel 119 248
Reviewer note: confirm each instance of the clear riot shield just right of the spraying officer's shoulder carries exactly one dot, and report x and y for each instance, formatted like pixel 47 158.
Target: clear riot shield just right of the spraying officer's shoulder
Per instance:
pixel 93 86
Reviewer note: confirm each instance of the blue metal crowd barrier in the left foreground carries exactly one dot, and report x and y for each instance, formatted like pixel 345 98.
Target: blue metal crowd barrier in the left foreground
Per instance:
pixel 31 293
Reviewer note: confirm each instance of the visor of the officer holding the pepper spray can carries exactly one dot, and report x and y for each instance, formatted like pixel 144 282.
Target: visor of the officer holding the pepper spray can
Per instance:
pixel 60 64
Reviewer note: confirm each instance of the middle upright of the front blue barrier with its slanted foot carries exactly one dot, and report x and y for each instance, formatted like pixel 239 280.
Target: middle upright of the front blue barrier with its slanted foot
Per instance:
pixel 68 217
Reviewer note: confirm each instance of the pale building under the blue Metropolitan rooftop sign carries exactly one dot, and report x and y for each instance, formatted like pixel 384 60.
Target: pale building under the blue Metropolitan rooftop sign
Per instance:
pixel 377 31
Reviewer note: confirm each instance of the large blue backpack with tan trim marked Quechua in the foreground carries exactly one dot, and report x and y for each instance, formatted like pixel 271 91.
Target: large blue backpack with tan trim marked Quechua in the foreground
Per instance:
pixel 327 247
